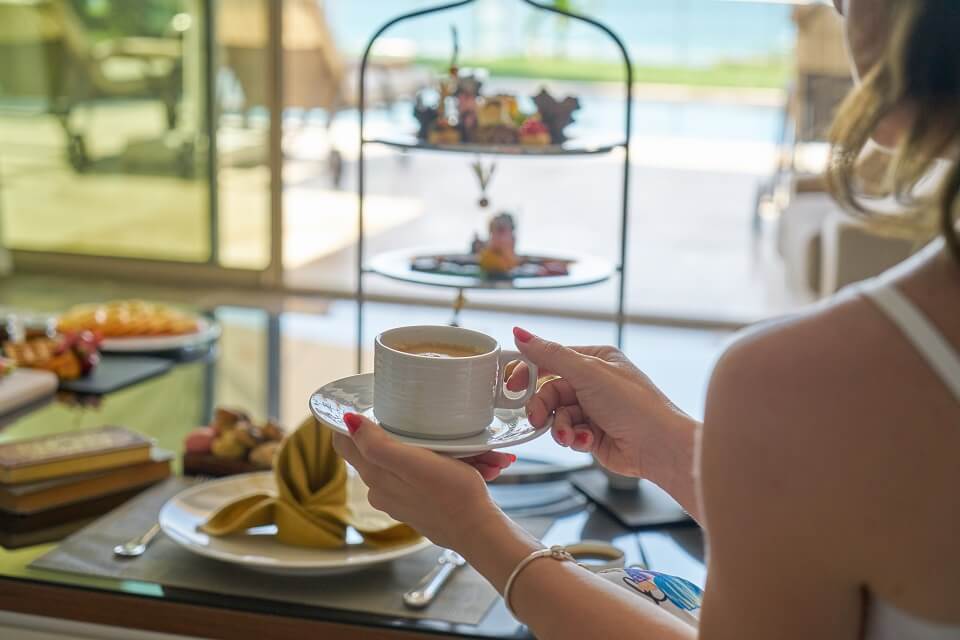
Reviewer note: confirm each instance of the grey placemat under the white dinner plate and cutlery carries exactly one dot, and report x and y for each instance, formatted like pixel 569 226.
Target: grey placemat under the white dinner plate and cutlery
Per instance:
pixel 378 590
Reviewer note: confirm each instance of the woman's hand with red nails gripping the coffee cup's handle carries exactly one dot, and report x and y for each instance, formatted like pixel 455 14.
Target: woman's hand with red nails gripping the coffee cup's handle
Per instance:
pixel 605 405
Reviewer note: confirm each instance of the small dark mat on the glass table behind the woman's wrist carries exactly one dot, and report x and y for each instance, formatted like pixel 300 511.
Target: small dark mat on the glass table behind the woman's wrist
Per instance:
pixel 649 506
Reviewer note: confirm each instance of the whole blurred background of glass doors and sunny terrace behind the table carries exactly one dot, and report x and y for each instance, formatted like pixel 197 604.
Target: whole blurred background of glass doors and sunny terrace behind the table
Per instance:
pixel 216 141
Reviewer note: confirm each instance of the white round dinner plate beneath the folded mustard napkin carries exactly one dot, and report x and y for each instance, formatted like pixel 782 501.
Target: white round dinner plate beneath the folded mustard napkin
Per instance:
pixel 258 549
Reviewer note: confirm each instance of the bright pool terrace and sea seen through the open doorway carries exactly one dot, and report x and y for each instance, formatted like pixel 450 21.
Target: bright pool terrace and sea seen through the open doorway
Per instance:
pixel 707 116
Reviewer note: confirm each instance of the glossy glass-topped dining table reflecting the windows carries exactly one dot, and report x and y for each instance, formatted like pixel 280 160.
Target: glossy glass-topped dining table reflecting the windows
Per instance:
pixel 268 361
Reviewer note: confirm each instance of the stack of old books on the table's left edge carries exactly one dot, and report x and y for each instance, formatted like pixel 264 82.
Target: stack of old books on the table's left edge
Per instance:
pixel 54 485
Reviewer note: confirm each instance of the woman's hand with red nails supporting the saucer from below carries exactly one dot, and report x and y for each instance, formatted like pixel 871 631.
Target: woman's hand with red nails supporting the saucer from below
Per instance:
pixel 443 498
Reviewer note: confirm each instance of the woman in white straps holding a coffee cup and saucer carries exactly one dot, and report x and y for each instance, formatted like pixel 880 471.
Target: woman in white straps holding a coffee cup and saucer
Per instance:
pixel 826 470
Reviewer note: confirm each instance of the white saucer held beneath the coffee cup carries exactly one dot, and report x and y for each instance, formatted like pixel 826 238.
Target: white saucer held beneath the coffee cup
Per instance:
pixel 354 394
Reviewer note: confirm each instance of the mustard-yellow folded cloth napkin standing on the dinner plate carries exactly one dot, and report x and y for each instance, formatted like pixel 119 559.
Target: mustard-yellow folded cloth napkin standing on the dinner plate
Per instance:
pixel 314 503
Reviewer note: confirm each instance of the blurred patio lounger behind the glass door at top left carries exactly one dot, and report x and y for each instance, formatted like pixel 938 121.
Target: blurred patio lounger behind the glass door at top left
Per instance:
pixel 50 55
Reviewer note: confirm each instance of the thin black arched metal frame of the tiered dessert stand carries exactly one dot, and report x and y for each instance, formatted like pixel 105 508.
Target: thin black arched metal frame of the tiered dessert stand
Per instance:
pixel 361 167
